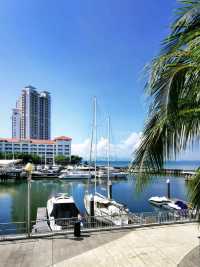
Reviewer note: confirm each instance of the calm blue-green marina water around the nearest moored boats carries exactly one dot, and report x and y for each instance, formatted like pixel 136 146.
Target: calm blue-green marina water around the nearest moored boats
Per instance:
pixel 13 195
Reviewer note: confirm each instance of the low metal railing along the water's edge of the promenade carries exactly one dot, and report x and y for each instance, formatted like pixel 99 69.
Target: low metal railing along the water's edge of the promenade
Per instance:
pixel 46 227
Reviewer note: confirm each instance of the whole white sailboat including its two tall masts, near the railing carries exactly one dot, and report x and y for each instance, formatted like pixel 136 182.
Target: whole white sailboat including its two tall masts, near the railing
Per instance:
pixel 105 208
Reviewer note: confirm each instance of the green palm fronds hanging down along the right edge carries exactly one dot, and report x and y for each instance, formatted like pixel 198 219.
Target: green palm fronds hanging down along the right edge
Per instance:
pixel 173 122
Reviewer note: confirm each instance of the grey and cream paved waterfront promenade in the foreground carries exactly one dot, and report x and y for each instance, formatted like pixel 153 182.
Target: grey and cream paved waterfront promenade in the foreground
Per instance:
pixel 163 246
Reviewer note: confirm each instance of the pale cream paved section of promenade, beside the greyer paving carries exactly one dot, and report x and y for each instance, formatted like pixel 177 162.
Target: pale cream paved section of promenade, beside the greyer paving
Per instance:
pixel 158 246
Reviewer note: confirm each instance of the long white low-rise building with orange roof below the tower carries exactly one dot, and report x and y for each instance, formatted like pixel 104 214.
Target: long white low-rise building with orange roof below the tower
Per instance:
pixel 44 148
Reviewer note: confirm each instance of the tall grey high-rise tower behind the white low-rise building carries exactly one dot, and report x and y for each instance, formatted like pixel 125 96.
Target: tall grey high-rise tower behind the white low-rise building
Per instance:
pixel 35 114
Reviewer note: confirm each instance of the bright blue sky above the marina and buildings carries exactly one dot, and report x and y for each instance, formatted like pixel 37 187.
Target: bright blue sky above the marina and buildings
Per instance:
pixel 77 50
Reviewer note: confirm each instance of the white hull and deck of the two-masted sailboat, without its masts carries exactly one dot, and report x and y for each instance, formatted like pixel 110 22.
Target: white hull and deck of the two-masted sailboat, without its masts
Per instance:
pixel 107 210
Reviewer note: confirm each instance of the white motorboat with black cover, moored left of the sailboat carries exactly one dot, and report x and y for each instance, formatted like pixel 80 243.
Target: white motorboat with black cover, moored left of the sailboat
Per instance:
pixel 62 211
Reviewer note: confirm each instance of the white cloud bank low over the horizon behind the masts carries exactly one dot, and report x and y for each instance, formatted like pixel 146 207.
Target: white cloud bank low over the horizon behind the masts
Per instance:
pixel 121 150
